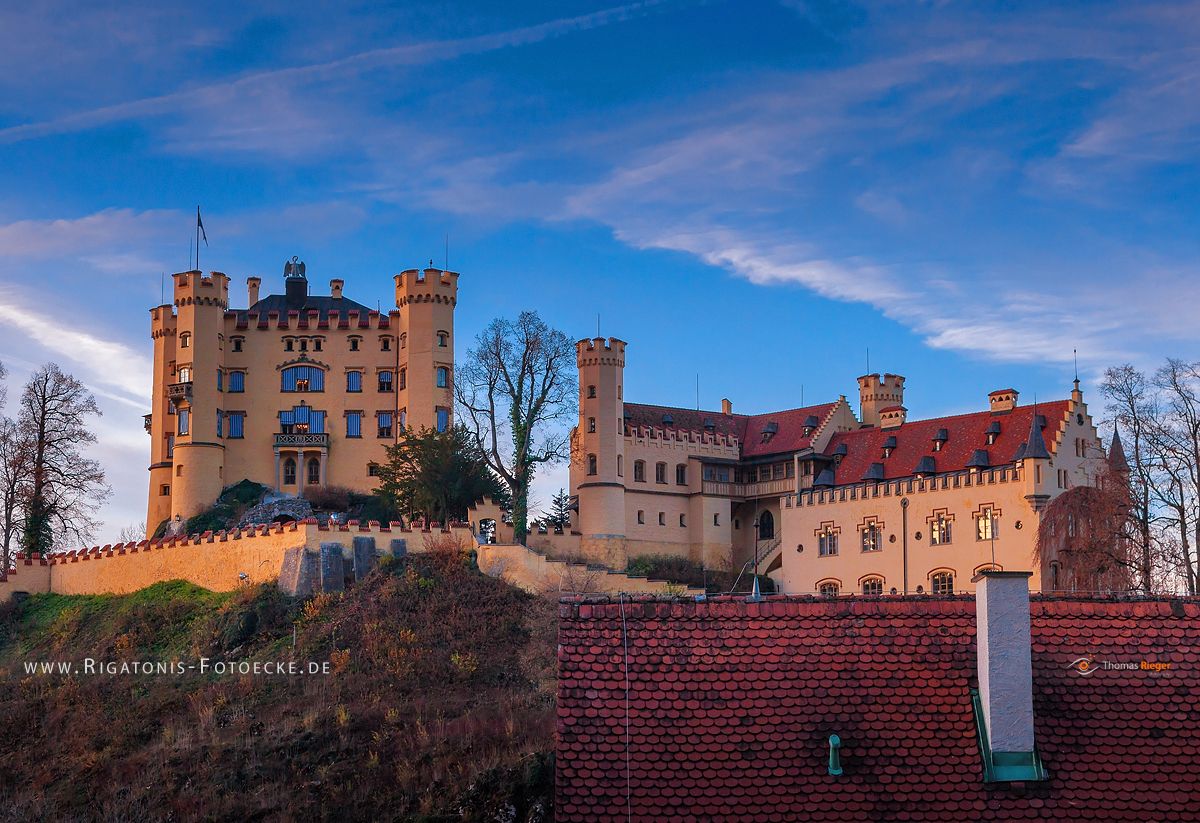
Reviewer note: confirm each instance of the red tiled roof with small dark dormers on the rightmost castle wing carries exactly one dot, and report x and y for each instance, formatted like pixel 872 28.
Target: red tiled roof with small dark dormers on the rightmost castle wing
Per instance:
pixel 965 435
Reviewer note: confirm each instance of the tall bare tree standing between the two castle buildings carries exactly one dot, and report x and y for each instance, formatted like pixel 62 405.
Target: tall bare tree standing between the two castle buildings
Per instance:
pixel 517 385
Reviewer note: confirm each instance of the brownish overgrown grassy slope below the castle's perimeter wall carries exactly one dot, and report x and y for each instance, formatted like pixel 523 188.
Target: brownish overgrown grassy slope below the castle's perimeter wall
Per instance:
pixel 440 707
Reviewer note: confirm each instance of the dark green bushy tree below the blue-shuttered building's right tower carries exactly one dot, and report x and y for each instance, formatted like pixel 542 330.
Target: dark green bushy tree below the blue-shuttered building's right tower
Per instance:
pixel 437 474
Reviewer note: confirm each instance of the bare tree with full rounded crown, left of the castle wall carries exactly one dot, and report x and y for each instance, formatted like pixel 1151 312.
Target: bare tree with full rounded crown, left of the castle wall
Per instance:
pixel 64 485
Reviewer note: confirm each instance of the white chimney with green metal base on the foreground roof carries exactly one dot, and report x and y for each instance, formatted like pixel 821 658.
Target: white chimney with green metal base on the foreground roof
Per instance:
pixel 1006 675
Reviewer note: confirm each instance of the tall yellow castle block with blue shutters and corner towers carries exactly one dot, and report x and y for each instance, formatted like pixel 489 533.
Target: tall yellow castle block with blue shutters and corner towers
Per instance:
pixel 295 392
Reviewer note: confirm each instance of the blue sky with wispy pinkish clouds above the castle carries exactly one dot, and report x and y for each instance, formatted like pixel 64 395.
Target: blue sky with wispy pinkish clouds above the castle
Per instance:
pixel 763 197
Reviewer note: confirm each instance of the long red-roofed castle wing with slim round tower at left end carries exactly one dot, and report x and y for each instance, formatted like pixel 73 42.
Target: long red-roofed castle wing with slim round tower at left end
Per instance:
pixel 821 500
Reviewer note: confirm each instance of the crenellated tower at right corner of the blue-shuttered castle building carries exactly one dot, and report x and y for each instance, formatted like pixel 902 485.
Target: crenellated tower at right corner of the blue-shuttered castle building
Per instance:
pixel 425 352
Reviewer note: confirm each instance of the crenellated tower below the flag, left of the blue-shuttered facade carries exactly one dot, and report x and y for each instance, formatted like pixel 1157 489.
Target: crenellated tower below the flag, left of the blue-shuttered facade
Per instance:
pixel 199 459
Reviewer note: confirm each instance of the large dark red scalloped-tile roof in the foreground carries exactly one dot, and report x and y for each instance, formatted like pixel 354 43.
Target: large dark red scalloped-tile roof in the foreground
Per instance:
pixel 731 706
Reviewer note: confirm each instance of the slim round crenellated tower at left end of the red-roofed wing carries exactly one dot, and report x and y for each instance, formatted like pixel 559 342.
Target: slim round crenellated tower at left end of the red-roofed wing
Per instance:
pixel 601 440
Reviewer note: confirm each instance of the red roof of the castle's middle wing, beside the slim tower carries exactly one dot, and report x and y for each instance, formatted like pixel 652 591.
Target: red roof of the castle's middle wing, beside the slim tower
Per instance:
pixel 747 428
